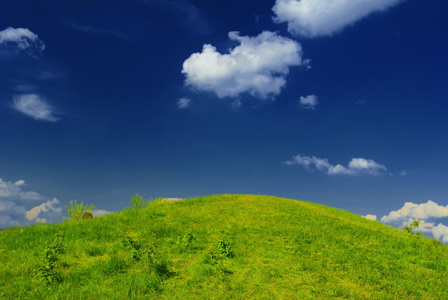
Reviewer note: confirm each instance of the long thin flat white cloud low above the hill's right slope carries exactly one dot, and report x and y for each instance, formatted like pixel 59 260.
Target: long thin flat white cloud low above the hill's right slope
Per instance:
pixel 356 166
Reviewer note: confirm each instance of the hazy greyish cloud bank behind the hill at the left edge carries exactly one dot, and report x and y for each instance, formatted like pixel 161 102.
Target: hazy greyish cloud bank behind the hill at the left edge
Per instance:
pixel 19 207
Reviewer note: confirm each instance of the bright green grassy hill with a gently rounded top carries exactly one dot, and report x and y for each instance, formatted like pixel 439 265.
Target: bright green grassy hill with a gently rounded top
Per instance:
pixel 222 247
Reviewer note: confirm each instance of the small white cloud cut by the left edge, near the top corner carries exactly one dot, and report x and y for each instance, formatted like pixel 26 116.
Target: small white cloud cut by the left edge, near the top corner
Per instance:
pixel 21 38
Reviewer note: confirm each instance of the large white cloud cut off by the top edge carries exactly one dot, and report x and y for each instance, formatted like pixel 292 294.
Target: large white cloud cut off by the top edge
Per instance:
pixel 312 18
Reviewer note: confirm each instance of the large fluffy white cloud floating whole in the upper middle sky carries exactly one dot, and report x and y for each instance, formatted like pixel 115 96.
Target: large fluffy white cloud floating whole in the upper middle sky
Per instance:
pixel 258 66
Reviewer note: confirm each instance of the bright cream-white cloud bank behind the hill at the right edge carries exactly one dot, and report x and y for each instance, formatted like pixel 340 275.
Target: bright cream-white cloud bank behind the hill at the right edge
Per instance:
pixel 424 212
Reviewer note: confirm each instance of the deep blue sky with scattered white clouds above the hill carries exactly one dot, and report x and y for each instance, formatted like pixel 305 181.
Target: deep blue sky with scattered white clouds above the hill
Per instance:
pixel 337 102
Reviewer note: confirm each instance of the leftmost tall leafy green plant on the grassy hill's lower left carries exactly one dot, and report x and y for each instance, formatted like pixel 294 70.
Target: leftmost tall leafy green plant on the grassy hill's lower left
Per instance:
pixel 48 271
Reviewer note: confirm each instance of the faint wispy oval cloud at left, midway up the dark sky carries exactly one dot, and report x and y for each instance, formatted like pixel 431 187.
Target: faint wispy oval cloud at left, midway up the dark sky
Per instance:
pixel 35 107
